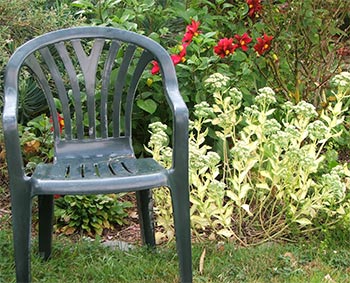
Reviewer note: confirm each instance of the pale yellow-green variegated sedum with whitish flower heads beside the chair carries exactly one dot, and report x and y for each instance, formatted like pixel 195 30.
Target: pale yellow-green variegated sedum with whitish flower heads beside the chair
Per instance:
pixel 272 178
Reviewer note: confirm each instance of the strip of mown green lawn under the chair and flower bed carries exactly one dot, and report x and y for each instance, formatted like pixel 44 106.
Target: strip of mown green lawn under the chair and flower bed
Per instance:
pixel 86 261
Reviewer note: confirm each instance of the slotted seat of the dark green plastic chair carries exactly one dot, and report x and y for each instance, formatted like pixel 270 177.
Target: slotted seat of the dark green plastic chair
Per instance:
pixel 98 175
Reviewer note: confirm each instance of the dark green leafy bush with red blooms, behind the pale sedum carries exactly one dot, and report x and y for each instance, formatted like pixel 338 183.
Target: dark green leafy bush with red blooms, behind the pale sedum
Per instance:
pixel 303 55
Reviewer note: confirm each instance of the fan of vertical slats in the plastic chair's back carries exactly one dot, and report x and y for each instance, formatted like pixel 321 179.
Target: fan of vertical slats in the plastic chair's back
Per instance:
pixel 95 81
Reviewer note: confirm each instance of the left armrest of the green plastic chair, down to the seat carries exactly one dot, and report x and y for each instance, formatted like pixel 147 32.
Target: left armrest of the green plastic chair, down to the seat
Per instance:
pixel 12 141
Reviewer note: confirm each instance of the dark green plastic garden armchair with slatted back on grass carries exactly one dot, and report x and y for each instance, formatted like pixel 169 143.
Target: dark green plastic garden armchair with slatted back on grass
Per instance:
pixel 94 73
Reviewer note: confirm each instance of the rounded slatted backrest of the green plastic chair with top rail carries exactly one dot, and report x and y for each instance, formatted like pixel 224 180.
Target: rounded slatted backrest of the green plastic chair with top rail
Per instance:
pixel 89 76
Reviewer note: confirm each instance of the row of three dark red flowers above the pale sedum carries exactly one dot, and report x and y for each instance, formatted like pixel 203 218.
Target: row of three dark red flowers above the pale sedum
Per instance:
pixel 227 46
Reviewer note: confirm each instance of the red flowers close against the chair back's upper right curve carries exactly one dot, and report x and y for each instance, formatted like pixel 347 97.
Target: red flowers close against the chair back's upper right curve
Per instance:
pixel 191 31
